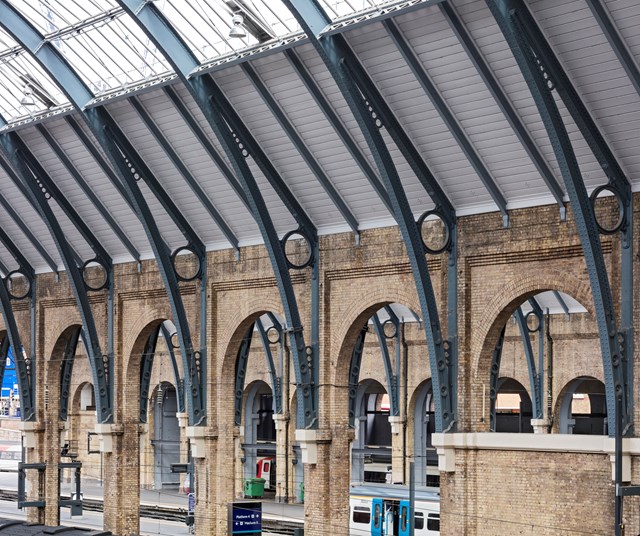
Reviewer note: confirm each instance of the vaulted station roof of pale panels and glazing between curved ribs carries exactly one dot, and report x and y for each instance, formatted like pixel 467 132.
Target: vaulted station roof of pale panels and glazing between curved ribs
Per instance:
pixel 443 68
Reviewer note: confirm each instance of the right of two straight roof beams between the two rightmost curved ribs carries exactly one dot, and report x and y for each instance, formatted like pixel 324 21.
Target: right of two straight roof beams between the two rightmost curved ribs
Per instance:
pixel 504 103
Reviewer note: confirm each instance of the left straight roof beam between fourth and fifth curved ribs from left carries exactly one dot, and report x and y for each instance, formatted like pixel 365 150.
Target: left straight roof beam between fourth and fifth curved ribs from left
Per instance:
pixel 304 151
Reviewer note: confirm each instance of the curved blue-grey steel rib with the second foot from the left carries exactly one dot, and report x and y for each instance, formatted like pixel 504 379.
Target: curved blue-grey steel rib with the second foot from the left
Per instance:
pixel 37 192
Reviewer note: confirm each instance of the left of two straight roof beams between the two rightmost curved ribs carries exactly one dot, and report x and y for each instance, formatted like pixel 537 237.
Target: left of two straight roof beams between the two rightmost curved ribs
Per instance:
pixel 446 114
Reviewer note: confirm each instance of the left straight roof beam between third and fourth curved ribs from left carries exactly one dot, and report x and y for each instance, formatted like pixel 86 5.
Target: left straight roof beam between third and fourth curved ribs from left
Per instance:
pixel 184 171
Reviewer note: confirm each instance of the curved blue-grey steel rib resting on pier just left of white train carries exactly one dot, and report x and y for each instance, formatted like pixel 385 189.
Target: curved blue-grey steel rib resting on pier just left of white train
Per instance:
pixel 239 144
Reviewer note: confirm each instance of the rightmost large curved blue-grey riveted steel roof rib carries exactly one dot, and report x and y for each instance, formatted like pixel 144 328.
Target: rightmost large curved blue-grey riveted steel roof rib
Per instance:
pixel 543 74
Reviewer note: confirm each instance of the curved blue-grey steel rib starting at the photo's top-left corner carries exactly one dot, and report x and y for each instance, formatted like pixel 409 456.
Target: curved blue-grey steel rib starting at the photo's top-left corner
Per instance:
pixel 131 168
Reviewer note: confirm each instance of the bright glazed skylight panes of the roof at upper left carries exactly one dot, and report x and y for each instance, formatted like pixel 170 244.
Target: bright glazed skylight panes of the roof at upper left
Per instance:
pixel 110 52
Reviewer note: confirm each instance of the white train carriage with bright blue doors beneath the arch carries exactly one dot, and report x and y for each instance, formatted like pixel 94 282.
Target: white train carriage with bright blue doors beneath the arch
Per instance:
pixel 383 510
